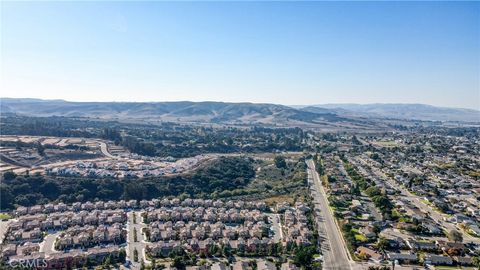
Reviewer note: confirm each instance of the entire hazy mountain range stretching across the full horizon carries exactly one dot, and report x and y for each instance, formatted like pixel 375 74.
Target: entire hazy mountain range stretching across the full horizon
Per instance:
pixel 237 113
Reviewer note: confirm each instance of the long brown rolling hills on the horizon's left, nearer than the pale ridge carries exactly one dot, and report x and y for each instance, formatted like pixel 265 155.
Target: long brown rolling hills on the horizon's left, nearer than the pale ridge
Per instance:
pixel 185 111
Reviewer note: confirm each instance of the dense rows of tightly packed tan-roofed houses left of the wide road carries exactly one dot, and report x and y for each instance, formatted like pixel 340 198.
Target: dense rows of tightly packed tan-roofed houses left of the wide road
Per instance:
pixel 86 234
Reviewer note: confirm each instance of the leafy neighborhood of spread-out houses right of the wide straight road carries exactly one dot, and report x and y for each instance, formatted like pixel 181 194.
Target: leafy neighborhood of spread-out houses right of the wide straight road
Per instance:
pixel 405 199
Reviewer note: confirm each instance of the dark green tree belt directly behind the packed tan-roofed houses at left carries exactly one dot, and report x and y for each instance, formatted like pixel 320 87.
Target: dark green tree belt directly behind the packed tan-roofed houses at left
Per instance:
pixel 226 173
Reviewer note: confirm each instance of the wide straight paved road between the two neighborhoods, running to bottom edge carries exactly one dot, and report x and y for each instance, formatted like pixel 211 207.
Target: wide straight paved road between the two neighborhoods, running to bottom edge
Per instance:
pixel 332 244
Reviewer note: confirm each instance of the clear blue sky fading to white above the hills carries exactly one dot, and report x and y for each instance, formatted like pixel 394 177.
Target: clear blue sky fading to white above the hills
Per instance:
pixel 278 52
